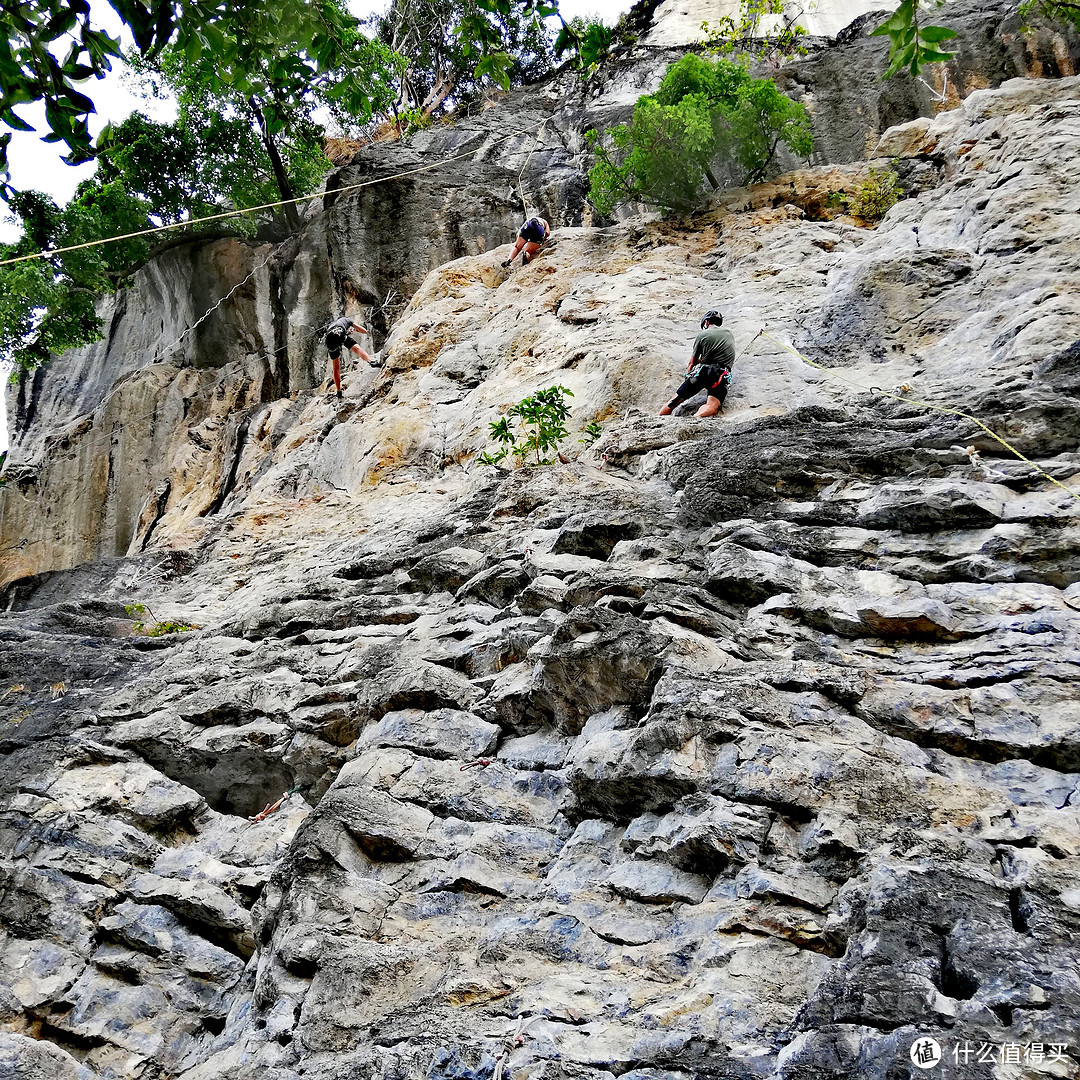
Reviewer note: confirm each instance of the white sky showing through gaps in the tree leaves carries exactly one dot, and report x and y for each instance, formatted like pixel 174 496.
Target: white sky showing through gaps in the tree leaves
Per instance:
pixel 37 166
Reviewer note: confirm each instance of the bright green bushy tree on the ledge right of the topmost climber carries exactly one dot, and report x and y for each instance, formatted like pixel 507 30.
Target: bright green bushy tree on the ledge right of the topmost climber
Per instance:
pixel 705 114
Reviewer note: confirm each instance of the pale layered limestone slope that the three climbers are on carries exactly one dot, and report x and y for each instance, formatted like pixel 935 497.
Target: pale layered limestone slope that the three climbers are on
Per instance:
pixel 732 749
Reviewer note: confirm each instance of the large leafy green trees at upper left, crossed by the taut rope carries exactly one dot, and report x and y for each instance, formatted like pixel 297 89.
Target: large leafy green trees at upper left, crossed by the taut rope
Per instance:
pixel 247 134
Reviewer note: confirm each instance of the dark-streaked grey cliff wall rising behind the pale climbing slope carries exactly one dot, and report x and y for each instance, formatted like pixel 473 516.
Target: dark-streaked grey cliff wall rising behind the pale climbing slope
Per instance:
pixel 152 424
